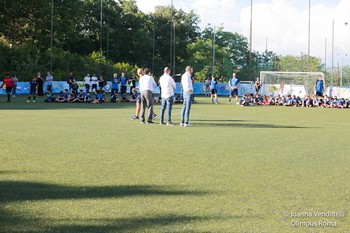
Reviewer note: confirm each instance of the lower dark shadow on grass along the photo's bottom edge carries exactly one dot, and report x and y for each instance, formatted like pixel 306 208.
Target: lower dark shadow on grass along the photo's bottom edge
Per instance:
pixel 13 223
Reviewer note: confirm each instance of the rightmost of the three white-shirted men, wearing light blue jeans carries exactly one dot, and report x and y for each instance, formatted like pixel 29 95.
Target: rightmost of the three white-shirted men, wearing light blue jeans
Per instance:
pixel 187 87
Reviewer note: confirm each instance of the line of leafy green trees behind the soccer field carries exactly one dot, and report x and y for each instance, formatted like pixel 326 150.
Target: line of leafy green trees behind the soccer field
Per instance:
pixel 125 39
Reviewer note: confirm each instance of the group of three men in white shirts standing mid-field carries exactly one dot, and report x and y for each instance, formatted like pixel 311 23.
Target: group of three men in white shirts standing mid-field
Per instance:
pixel 167 86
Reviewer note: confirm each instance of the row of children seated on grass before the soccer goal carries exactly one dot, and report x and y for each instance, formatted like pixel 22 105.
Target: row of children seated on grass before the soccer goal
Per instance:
pixel 295 101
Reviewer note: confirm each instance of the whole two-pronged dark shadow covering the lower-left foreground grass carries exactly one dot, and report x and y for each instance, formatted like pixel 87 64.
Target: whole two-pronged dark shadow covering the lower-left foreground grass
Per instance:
pixel 13 221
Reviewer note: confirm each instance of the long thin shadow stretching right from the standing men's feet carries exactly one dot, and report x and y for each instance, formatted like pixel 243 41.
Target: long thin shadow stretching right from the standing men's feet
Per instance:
pixel 239 125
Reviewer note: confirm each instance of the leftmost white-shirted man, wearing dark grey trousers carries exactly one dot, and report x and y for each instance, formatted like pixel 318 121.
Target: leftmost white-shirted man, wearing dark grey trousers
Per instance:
pixel 146 86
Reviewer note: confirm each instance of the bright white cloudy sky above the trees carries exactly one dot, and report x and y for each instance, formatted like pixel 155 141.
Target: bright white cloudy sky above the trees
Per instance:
pixel 278 25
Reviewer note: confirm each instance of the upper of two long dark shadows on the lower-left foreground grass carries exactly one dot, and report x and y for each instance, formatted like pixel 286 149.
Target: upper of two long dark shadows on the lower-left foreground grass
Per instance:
pixel 11 191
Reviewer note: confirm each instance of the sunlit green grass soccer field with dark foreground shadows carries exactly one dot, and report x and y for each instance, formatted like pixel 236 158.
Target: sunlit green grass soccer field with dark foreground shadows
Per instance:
pixel 89 168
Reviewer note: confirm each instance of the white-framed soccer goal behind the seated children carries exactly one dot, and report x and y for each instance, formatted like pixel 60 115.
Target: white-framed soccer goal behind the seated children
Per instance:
pixel 288 83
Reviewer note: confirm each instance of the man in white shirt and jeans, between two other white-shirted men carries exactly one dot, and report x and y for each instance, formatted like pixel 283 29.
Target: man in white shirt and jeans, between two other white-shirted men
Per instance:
pixel 167 84
